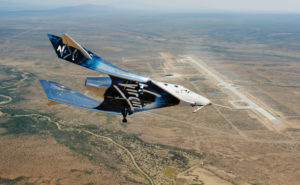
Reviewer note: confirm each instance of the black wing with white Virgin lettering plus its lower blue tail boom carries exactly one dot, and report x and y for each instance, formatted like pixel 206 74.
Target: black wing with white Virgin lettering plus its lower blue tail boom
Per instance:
pixel 122 93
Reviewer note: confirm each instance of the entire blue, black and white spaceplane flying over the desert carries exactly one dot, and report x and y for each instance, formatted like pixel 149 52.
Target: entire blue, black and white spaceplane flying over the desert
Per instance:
pixel 123 92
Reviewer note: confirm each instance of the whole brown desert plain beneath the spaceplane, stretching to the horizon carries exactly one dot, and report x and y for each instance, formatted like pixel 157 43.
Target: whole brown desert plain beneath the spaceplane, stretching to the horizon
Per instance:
pixel 227 143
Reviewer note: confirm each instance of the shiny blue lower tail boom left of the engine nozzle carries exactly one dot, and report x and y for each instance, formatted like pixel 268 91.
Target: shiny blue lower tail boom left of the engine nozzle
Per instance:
pixel 63 94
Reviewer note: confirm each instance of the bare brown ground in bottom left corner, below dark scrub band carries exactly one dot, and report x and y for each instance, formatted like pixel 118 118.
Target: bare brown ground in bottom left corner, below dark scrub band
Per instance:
pixel 41 160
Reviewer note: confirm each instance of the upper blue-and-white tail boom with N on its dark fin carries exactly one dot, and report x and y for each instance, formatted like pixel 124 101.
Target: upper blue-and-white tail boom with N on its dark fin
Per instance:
pixel 68 49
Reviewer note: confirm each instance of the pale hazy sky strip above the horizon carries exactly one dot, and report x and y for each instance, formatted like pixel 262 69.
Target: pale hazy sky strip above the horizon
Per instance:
pixel 272 6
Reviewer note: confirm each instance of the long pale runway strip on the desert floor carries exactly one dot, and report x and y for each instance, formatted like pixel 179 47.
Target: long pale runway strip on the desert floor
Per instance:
pixel 233 89
